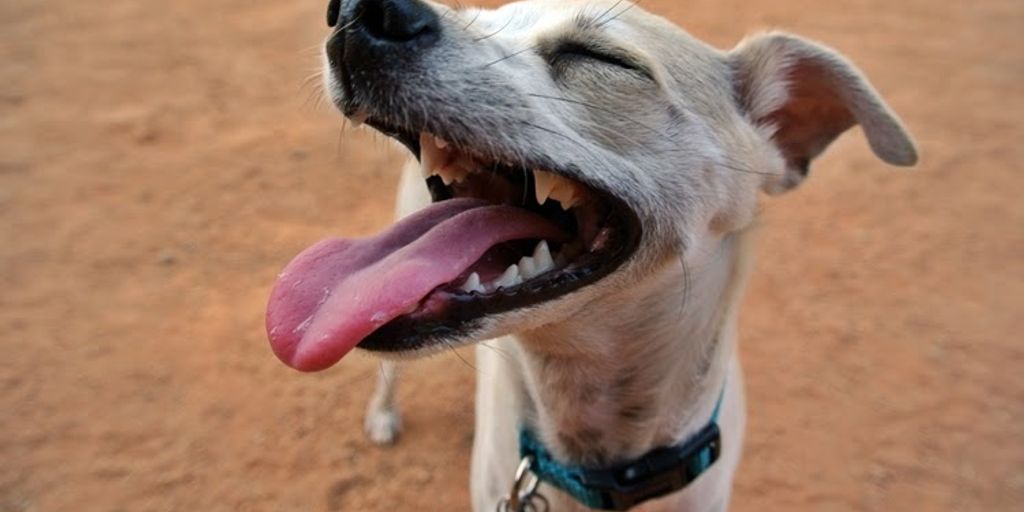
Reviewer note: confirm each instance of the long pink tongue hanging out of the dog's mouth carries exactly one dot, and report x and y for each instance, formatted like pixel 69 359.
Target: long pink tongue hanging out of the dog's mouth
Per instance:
pixel 339 291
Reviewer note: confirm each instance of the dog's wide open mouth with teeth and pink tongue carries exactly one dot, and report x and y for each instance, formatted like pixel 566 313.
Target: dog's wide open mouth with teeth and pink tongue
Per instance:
pixel 499 237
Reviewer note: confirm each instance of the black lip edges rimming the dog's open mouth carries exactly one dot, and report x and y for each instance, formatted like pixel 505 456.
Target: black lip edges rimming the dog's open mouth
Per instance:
pixel 465 314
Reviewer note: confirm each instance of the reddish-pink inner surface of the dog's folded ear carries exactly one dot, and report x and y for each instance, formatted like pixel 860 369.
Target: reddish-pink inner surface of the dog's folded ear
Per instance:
pixel 813 117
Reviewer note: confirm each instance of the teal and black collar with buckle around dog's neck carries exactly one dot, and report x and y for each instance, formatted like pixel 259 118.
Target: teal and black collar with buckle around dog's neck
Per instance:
pixel 658 474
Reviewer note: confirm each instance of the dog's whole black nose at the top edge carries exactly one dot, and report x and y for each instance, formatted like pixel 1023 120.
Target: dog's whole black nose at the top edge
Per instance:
pixel 395 22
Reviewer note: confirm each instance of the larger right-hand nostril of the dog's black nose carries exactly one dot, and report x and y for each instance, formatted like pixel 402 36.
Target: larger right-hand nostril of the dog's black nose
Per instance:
pixel 399 21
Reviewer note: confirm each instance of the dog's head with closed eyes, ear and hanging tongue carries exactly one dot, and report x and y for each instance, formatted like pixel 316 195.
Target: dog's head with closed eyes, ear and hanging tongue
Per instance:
pixel 612 140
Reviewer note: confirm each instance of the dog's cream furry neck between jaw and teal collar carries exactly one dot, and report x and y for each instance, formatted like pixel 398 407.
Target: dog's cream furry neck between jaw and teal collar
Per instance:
pixel 637 370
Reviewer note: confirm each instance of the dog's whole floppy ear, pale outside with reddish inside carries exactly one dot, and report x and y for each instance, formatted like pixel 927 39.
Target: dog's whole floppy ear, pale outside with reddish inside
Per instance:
pixel 806 96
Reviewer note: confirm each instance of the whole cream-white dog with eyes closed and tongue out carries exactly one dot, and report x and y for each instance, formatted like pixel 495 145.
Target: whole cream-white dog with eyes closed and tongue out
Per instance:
pixel 584 182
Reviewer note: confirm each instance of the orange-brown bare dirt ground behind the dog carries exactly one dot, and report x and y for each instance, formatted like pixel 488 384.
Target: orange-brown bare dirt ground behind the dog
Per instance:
pixel 160 162
